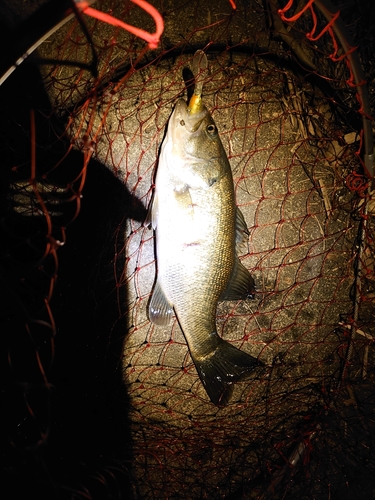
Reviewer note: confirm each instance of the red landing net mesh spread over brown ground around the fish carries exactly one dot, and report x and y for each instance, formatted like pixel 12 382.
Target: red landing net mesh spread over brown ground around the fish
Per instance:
pixel 102 399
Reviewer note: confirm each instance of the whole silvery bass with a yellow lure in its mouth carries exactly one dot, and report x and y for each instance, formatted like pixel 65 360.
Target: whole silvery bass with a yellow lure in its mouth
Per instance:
pixel 198 229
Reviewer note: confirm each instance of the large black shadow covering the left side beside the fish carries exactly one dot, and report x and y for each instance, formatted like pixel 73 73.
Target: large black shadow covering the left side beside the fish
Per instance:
pixel 66 436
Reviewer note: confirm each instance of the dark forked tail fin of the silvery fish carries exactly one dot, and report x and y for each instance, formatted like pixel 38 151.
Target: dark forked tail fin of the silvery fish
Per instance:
pixel 222 369
